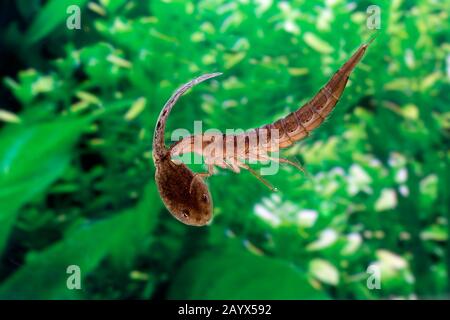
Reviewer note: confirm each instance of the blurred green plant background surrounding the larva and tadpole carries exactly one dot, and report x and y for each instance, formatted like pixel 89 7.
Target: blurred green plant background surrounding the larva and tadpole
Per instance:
pixel 77 113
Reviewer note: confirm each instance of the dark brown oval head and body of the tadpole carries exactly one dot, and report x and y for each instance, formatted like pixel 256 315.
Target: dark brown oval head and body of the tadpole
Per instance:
pixel 187 200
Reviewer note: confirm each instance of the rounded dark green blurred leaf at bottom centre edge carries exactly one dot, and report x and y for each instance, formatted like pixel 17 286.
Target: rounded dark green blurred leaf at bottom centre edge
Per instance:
pixel 240 275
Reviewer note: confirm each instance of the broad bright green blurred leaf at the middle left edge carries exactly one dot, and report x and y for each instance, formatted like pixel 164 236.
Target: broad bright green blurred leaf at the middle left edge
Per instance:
pixel 31 158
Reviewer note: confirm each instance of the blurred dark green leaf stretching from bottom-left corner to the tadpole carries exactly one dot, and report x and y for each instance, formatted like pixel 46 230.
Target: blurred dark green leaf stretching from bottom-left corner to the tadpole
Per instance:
pixel 44 274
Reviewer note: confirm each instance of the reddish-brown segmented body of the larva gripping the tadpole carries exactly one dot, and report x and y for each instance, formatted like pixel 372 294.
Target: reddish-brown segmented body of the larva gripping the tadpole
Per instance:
pixel 280 134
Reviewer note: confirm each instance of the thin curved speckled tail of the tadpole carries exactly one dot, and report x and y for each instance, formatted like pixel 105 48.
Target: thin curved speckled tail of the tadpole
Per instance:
pixel 159 148
